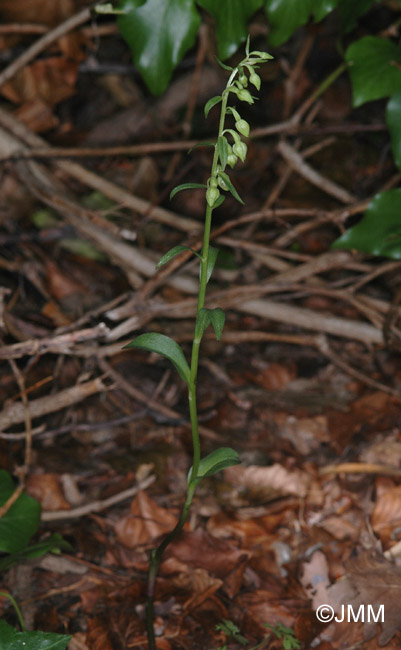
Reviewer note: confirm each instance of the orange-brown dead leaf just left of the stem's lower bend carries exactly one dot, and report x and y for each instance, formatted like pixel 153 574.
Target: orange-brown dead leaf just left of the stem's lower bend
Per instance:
pixel 145 523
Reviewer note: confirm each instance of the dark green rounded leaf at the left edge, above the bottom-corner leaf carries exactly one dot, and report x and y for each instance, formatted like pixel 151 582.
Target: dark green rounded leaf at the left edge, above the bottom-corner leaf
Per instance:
pixel 21 521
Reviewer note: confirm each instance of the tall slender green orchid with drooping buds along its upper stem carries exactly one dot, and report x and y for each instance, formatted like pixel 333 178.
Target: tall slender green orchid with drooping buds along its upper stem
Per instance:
pixel 228 149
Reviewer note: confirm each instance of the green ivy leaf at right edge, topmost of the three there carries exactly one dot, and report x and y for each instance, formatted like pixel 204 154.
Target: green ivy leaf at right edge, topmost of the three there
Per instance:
pixel 374 68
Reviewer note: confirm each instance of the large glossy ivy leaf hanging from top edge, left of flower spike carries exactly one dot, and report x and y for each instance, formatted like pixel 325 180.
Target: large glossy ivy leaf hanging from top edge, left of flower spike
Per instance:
pixel 158 33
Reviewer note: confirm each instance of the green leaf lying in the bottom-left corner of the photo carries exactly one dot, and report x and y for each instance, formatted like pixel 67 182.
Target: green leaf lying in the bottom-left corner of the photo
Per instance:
pixel 13 640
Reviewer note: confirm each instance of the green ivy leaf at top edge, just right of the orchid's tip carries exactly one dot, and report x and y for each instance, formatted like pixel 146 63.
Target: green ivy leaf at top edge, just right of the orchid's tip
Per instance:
pixel 285 16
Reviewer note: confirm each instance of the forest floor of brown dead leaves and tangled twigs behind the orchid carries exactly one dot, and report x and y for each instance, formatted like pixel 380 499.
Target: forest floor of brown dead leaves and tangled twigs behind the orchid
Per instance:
pixel 305 383
